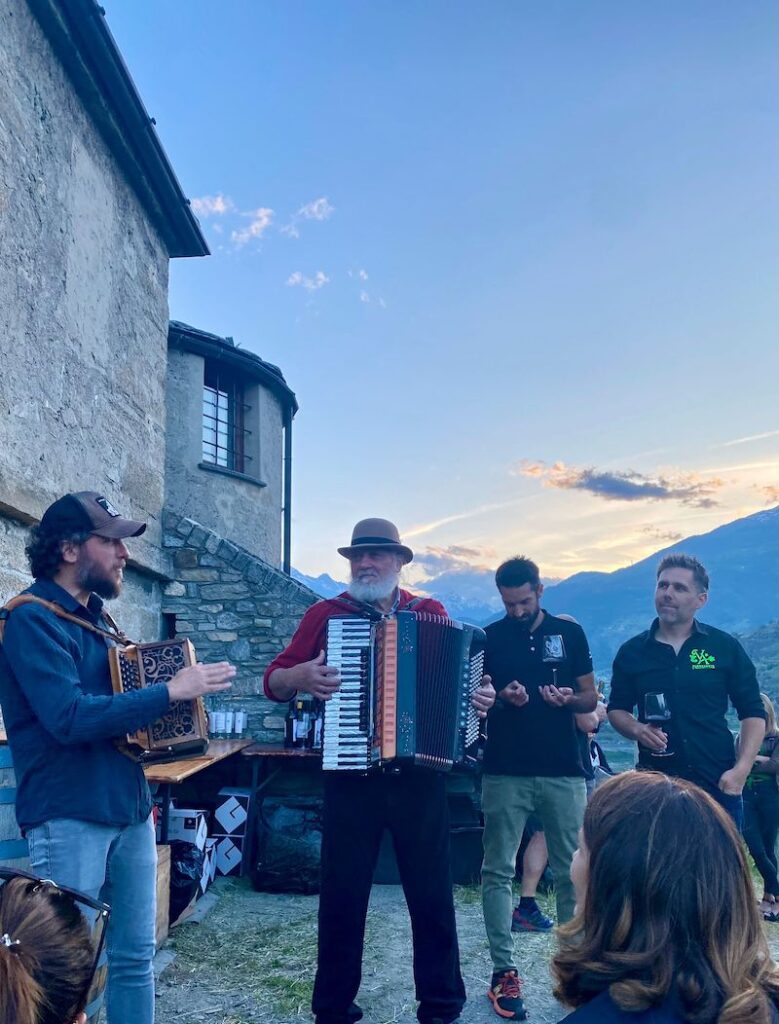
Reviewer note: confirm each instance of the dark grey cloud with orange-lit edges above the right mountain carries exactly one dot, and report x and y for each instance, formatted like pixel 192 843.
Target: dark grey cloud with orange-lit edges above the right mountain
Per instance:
pixel 625 486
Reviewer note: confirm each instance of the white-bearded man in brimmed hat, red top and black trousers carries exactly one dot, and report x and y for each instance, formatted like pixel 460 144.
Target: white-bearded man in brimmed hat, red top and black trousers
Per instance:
pixel 410 803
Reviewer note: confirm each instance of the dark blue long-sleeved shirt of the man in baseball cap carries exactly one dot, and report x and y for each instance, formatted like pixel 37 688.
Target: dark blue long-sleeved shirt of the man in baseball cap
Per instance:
pixel 62 717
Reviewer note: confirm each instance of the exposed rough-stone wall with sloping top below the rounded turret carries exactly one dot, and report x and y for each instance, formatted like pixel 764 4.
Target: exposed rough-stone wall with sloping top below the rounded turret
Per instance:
pixel 234 607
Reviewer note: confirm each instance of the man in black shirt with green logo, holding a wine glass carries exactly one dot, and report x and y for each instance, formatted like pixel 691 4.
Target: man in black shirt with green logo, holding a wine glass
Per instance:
pixel 698 670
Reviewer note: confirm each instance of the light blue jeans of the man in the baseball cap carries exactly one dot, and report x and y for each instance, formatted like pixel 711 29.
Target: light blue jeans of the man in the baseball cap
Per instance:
pixel 118 866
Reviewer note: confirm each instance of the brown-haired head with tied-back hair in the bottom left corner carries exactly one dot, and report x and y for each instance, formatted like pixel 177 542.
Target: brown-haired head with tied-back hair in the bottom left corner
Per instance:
pixel 47 955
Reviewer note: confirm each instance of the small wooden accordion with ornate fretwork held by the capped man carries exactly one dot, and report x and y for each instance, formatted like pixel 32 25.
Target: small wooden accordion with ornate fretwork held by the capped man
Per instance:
pixel 183 732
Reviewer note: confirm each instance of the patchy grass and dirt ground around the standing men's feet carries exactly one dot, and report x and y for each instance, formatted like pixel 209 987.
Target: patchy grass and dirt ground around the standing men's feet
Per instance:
pixel 252 962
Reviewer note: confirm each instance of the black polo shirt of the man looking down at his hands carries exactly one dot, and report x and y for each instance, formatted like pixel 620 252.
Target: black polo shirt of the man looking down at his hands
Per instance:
pixel 536 740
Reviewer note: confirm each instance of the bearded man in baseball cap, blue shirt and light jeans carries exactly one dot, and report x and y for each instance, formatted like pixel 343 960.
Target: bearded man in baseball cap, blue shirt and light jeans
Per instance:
pixel 84 807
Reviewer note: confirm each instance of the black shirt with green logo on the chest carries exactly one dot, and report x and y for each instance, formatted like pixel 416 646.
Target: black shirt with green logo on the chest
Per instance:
pixel 711 670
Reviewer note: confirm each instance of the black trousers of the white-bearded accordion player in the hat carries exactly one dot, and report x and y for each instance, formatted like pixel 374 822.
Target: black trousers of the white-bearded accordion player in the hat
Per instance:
pixel 358 809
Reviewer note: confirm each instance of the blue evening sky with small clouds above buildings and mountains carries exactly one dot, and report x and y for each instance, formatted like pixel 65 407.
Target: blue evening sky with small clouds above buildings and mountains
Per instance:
pixel 518 261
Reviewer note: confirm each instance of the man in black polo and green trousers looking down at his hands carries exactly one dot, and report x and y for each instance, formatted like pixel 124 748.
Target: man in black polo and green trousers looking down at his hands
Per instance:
pixel 543 673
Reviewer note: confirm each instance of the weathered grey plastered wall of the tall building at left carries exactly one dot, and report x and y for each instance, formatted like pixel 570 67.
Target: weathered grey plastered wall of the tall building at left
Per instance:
pixel 83 302
